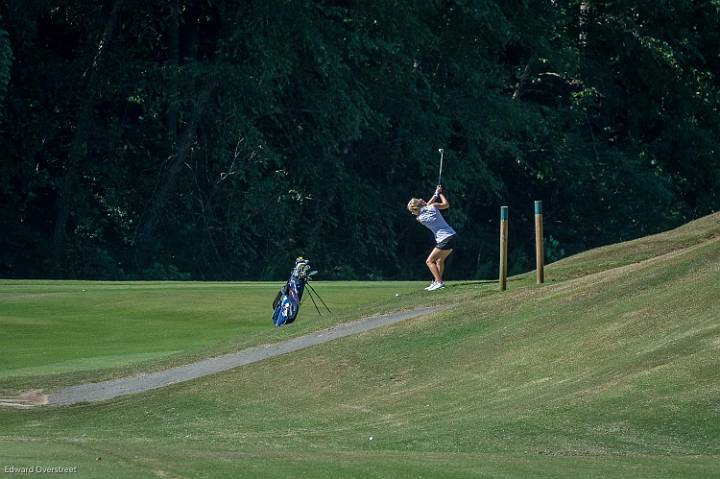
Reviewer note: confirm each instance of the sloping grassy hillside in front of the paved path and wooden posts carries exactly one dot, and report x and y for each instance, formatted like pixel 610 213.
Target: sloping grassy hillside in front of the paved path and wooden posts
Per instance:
pixel 612 369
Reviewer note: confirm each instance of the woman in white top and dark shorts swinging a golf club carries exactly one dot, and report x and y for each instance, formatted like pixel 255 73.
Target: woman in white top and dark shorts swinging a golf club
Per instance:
pixel 428 214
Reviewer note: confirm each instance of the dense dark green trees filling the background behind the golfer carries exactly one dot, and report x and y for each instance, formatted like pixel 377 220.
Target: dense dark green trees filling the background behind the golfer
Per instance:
pixel 213 139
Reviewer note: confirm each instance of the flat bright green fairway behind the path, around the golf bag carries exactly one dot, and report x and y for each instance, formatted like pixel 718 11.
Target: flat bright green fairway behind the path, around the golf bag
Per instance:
pixel 64 332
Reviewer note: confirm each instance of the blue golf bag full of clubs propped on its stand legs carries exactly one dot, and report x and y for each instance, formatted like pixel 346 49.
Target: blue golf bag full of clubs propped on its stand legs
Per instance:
pixel 287 301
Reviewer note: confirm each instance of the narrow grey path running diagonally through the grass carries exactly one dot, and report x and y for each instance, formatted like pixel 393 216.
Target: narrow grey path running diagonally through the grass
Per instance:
pixel 105 390
